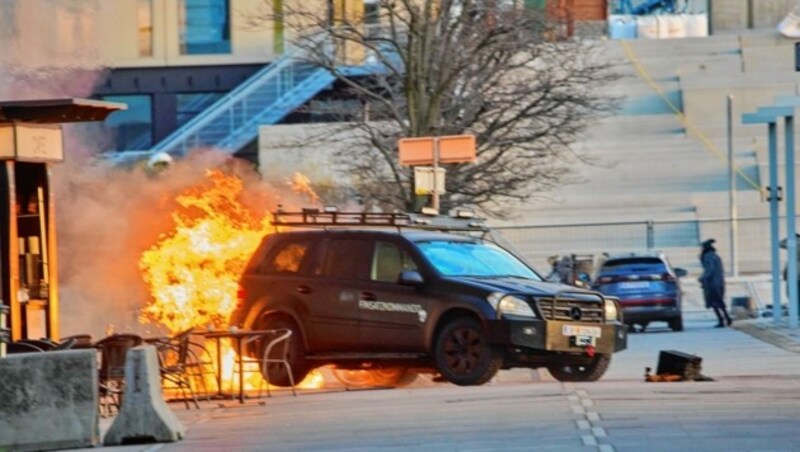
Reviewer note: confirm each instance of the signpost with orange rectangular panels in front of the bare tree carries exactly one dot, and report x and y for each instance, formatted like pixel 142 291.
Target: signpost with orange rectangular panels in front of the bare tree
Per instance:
pixel 433 151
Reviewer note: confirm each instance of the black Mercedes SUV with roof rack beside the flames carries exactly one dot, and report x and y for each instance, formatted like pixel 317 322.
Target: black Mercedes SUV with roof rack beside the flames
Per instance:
pixel 394 294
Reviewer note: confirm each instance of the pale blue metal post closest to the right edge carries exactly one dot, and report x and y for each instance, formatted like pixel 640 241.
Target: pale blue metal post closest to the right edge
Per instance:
pixel 791 237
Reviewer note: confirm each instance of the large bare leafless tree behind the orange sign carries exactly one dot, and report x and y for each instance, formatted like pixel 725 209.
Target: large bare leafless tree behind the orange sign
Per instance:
pixel 491 68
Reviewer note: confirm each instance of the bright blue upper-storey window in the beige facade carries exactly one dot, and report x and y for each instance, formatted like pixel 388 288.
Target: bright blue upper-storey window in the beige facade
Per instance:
pixel 205 27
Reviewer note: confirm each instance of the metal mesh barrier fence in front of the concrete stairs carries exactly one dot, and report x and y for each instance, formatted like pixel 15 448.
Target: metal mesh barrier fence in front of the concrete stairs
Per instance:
pixel 679 240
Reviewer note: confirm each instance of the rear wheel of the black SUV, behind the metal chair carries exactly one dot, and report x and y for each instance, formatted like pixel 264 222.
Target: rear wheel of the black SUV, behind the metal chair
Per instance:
pixel 276 373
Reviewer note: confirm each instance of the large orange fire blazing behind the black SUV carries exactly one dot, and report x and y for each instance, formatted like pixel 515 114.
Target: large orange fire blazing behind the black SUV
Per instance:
pixel 193 271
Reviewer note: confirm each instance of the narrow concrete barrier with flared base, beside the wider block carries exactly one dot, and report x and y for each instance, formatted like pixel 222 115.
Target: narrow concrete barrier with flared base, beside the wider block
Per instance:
pixel 144 416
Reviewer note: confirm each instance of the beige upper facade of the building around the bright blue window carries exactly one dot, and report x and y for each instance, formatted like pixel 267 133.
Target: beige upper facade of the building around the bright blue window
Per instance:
pixel 91 32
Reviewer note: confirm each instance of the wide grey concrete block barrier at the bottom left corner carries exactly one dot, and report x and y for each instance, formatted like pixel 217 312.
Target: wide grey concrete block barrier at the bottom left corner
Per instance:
pixel 48 400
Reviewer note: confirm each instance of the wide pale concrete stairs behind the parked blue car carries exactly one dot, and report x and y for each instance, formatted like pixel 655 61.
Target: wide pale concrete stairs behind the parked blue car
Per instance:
pixel 648 166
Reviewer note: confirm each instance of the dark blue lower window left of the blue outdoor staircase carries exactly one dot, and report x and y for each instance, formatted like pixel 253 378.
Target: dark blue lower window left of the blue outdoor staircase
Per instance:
pixel 132 128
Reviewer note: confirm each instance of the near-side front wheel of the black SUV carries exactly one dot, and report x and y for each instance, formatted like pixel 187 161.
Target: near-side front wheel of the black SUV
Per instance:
pixel 463 355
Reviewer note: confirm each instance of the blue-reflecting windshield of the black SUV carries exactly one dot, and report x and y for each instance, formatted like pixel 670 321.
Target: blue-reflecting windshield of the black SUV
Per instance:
pixel 462 258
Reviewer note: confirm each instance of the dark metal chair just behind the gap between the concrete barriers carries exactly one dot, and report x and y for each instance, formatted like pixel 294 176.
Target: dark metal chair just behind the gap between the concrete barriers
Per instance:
pixel 113 350
